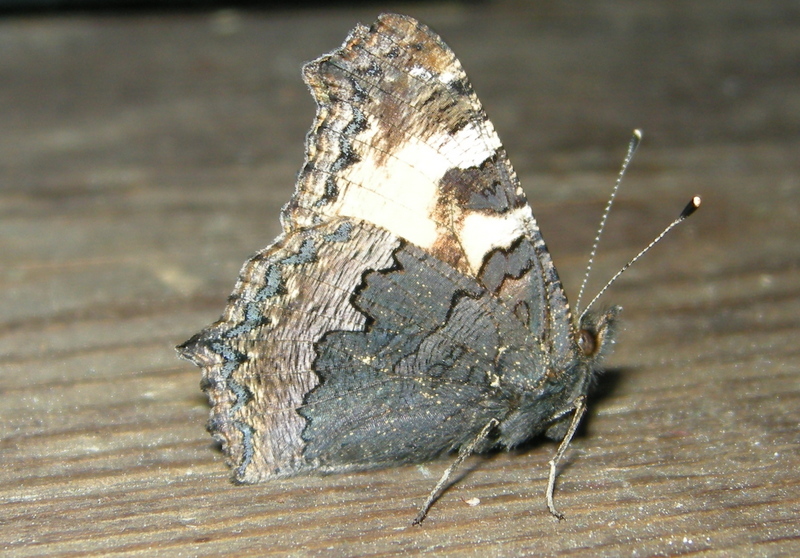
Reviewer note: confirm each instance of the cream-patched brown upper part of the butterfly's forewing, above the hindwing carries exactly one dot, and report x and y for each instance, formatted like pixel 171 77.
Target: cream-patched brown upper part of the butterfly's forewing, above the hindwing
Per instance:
pixel 401 140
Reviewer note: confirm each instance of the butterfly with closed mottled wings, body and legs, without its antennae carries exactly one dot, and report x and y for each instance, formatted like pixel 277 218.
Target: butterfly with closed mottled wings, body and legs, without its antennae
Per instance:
pixel 410 307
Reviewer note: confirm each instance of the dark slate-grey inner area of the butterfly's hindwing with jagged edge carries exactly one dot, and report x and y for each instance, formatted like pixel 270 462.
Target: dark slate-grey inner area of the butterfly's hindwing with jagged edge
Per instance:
pixel 440 359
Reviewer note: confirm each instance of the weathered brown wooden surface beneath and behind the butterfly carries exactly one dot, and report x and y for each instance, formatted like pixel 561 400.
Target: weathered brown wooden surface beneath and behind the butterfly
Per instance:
pixel 143 158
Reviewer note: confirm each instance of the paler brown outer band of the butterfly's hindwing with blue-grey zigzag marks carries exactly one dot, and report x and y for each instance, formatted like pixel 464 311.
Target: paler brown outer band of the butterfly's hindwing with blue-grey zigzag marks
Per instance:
pixel 257 359
